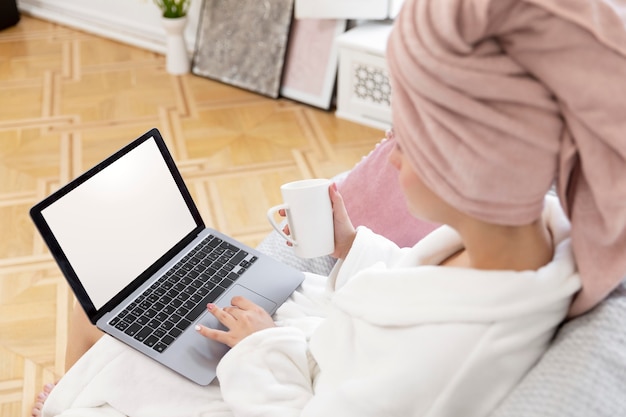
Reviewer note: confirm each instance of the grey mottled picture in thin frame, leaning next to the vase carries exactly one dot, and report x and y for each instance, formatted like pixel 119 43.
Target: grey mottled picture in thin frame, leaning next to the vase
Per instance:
pixel 243 43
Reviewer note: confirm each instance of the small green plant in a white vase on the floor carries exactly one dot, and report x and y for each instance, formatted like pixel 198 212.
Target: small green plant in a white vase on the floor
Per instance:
pixel 174 20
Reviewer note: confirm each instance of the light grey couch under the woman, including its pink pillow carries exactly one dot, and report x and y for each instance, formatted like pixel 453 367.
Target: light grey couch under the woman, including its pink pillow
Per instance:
pixel 583 373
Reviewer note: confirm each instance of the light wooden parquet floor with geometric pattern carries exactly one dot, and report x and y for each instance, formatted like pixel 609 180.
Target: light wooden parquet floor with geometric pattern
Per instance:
pixel 67 100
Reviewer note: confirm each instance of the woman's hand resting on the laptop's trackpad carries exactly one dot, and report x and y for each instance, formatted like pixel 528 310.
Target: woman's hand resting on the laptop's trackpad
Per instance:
pixel 241 319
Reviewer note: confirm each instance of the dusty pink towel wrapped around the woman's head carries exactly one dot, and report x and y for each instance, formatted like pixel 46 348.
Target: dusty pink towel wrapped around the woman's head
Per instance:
pixel 496 100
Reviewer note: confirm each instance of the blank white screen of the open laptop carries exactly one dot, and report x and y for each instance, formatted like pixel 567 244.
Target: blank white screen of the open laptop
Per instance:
pixel 119 222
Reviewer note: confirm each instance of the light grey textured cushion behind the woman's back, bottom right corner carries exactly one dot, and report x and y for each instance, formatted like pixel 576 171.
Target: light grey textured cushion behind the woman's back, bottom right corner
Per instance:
pixel 583 374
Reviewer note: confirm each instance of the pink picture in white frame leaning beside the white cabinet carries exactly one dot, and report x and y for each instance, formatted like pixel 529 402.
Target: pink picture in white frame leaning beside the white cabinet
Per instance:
pixel 312 58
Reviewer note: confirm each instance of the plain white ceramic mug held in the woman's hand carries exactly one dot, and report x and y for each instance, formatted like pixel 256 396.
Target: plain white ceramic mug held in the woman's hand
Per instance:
pixel 309 216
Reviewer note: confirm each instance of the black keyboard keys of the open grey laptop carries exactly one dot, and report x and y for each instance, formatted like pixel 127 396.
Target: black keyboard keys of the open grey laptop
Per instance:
pixel 165 309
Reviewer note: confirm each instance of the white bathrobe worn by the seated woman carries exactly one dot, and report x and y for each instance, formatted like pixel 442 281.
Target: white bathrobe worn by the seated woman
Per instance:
pixel 389 333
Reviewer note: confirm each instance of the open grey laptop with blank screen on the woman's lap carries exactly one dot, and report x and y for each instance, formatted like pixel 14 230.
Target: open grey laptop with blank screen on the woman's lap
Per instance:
pixel 133 247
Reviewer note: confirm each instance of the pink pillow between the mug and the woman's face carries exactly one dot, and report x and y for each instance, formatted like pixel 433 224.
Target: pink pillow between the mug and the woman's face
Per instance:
pixel 373 198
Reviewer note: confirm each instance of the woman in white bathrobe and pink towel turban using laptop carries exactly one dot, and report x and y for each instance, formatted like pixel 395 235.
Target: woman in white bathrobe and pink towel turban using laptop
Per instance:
pixel 490 110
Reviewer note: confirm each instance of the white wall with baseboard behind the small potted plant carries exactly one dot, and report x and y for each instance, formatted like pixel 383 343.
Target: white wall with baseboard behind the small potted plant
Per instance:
pixel 136 22
